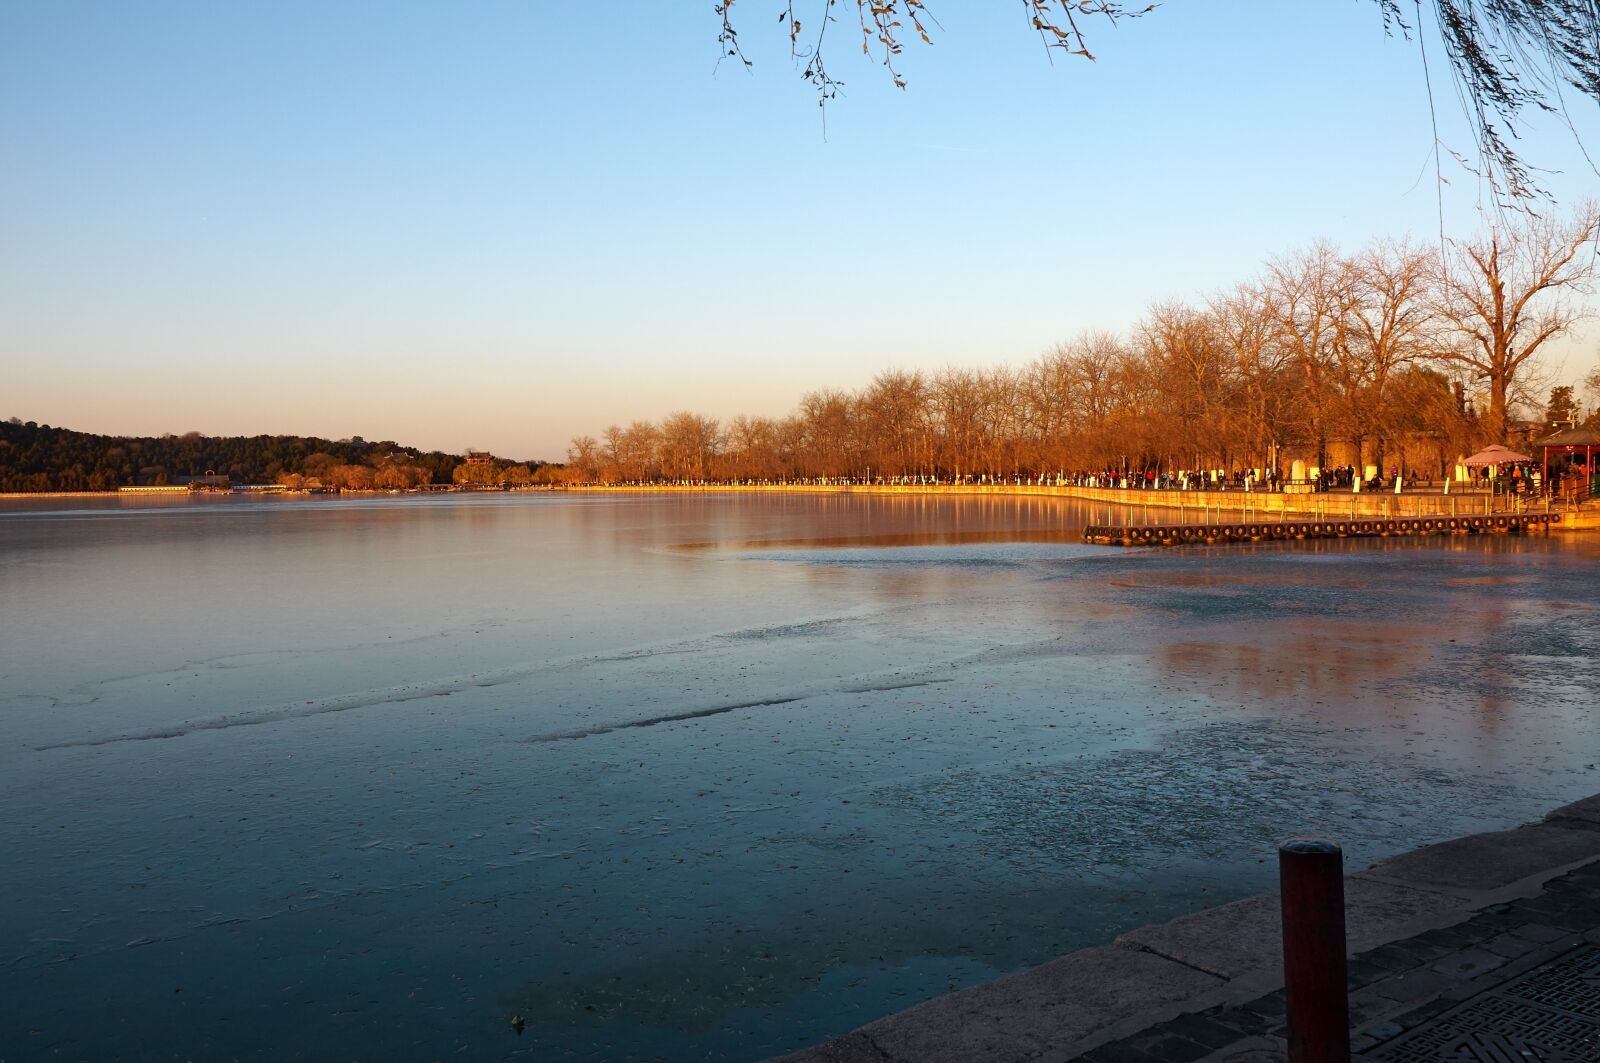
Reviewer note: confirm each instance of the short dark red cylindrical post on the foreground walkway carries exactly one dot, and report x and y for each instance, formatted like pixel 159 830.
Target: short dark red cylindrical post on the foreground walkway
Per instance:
pixel 1311 876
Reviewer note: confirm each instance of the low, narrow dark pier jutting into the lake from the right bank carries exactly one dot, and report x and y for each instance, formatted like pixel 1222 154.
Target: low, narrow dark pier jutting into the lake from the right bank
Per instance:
pixel 1358 529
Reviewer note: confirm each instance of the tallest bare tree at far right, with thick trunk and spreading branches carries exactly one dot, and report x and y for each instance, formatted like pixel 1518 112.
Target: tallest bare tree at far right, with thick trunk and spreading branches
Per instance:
pixel 1508 294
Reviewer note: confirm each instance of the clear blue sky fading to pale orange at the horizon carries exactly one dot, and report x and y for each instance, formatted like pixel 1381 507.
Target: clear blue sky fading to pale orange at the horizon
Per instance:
pixel 506 223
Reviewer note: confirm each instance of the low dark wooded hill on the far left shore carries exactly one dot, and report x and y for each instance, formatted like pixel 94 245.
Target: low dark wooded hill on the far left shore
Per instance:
pixel 44 459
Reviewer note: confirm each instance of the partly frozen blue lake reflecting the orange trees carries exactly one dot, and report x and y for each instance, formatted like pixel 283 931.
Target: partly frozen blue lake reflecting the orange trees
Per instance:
pixel 703 777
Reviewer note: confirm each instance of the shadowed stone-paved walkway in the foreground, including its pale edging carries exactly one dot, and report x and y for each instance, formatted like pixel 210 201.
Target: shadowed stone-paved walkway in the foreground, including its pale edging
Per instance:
pixel 1481 949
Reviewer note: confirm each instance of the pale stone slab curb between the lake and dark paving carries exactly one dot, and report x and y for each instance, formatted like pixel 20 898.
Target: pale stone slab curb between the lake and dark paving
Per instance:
pixel 1228 955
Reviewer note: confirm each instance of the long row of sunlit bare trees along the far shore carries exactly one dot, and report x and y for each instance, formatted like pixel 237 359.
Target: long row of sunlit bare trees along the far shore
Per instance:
pixel 1393 355
